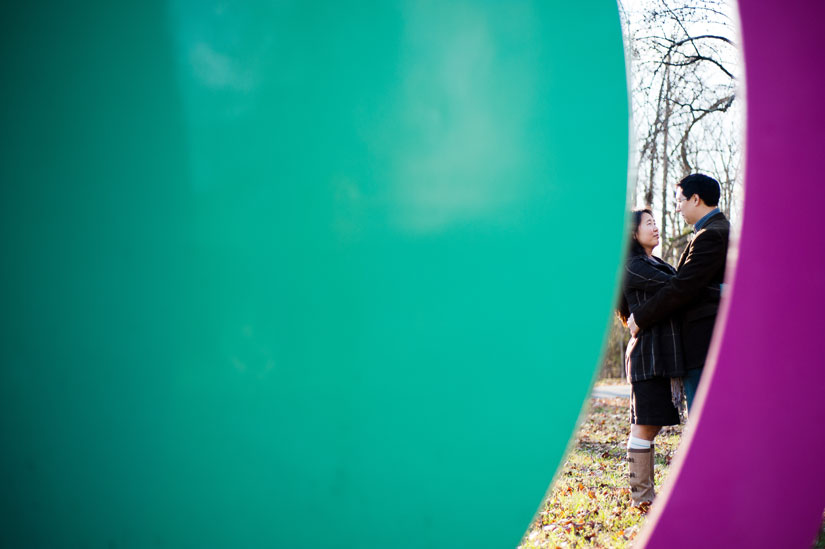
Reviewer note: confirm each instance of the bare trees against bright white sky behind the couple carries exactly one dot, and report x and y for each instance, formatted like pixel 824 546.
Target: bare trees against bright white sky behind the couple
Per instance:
pixel 684 65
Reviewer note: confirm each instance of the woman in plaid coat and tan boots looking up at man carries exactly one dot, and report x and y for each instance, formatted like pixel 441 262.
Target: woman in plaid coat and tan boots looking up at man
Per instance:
pixel 654 361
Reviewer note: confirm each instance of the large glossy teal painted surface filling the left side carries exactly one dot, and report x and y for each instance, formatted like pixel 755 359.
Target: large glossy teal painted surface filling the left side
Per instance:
pixel 301 275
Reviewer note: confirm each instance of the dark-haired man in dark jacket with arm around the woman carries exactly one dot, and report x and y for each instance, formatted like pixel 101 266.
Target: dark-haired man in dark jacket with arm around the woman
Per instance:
pixel 695 290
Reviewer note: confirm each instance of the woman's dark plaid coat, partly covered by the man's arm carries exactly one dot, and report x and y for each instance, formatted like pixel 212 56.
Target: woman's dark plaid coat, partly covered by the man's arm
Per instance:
pixel 657 351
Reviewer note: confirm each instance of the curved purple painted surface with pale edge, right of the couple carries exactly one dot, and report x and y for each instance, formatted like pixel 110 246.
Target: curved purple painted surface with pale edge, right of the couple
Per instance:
pixel 753 474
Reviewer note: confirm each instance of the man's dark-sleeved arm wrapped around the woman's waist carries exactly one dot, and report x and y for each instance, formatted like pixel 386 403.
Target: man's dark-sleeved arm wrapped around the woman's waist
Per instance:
pixel 706 256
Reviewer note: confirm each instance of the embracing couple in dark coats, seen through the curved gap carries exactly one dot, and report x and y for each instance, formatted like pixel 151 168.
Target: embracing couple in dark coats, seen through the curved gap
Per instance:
pixel 670 313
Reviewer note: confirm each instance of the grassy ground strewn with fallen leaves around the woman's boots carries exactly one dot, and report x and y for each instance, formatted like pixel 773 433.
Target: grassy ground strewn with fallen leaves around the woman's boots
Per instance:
pixel 589 505
